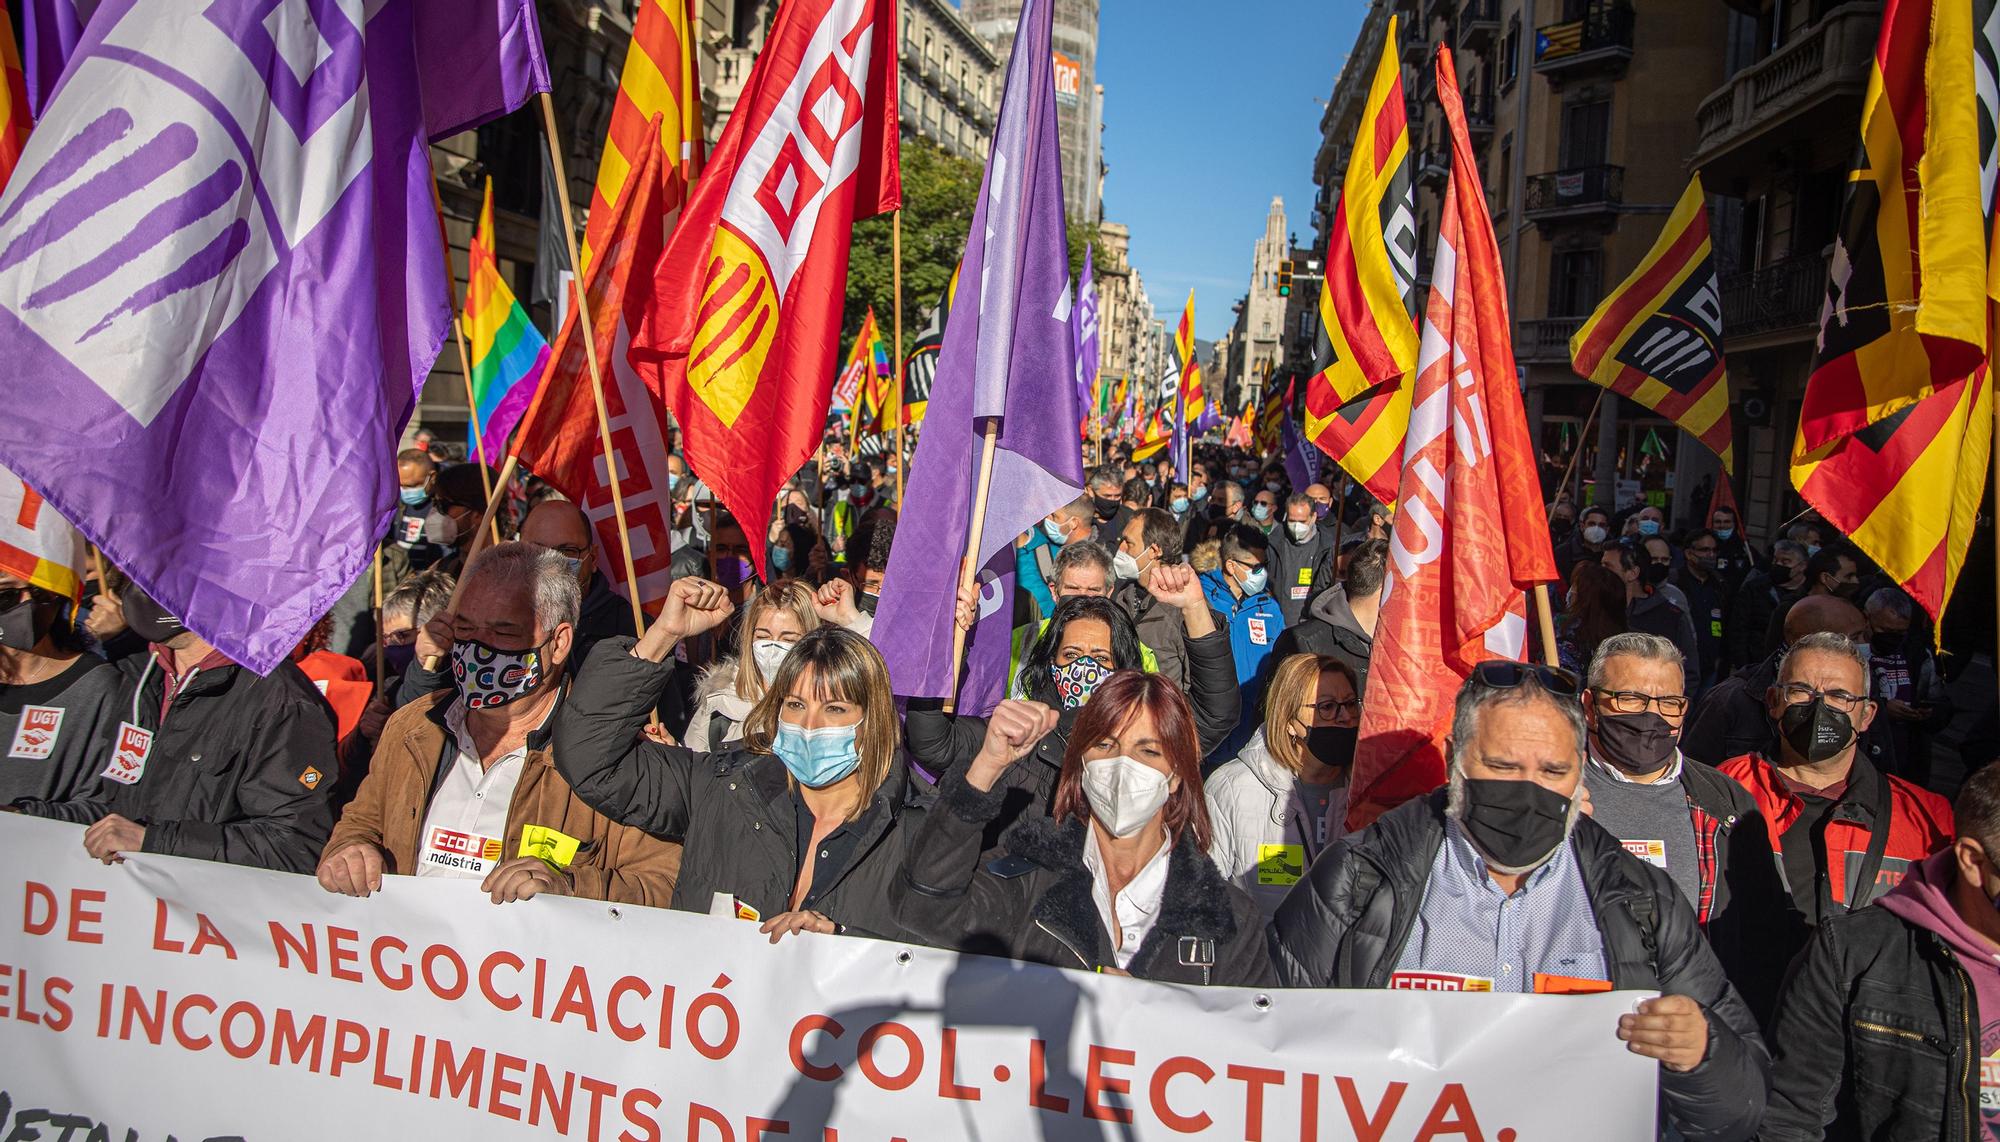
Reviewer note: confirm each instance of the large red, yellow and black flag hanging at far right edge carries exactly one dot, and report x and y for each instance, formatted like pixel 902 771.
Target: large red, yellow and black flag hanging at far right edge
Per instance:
pixel 1895 429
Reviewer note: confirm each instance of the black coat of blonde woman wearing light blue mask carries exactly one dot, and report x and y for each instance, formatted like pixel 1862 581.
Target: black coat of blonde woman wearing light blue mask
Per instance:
pixel 733 811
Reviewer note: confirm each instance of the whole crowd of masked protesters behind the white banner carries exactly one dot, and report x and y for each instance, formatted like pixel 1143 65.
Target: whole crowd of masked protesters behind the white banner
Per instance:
pixel 1721 795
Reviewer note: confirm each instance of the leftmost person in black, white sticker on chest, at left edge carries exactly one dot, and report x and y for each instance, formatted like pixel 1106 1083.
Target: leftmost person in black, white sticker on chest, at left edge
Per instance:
pixel 59 707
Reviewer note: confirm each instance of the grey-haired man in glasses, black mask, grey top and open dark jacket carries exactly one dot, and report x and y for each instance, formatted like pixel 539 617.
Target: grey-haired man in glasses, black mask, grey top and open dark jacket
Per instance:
pixel 1677 813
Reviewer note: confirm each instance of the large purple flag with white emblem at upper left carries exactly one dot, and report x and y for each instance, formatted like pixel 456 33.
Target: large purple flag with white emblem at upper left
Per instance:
pixel 223 269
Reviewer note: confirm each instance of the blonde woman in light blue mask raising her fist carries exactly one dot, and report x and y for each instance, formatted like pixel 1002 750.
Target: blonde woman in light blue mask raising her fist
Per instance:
pixel 803 825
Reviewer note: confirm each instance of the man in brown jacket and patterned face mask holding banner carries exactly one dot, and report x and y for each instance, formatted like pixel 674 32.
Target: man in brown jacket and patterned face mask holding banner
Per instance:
pixel 463 783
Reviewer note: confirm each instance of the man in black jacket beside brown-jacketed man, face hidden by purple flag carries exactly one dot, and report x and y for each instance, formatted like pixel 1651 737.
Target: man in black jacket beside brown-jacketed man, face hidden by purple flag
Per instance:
pixel 209 761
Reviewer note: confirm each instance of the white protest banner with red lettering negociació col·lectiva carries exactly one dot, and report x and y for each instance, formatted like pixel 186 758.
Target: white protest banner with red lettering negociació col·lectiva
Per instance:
pixel 197 1001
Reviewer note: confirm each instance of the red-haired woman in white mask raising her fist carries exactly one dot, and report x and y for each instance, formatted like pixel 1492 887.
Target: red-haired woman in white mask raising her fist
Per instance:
pixel 1117 881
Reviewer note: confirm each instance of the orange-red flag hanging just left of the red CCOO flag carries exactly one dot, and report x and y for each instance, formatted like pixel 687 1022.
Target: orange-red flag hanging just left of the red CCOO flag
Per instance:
pixel 561 441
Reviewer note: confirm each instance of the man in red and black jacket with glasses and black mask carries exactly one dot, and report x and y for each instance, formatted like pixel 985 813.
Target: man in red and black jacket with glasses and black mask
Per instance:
pixel 1841 831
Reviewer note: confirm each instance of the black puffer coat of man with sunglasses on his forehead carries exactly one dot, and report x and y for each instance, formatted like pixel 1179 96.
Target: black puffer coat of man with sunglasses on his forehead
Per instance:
pixel 1347 923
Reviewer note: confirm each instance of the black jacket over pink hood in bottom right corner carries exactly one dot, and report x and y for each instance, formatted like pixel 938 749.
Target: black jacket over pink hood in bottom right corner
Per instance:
pixel 1879 1037
